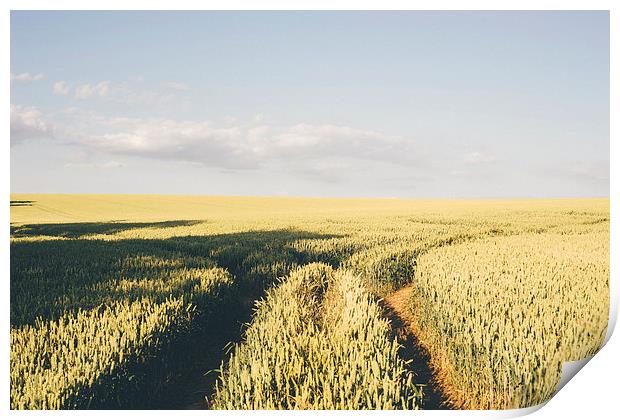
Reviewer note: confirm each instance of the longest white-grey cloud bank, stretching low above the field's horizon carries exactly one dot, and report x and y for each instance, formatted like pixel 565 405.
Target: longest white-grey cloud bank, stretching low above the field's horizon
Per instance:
pixel 309 149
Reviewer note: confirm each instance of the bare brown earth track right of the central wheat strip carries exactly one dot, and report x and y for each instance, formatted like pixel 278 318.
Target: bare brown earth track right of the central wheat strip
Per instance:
pixel 398 311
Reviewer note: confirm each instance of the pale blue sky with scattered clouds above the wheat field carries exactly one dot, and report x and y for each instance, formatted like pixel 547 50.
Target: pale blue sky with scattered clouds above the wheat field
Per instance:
pixel 323 104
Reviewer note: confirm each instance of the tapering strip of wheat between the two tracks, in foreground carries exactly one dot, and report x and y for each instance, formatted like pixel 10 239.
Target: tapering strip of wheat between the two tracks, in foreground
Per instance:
pixel 318 341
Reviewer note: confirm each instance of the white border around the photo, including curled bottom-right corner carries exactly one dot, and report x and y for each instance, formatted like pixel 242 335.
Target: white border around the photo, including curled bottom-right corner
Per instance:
pixel 592 393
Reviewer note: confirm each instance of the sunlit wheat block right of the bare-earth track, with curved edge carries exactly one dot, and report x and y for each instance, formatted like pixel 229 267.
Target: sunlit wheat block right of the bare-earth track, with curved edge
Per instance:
pixel 502 314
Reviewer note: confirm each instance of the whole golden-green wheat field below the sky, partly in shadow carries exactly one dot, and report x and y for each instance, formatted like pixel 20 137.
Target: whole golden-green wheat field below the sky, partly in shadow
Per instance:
pixel 117 300
